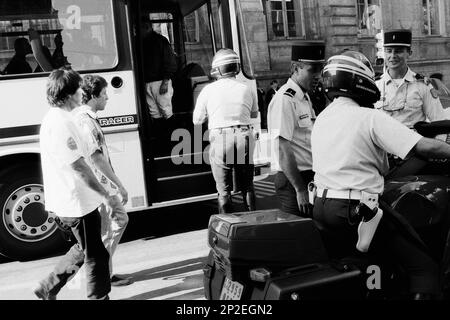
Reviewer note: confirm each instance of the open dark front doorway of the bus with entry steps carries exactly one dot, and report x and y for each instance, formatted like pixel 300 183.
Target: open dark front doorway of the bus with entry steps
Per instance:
pixel 178 149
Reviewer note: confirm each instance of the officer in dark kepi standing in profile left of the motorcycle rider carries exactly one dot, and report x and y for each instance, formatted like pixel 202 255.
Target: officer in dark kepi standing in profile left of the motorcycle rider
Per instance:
pixel 290 119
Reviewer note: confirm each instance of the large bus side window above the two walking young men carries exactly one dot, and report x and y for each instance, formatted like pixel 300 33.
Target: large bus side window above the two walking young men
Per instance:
pixel 79 33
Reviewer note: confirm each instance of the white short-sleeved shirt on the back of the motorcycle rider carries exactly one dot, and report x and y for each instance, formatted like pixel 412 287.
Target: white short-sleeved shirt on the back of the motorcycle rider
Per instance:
pixel 350 145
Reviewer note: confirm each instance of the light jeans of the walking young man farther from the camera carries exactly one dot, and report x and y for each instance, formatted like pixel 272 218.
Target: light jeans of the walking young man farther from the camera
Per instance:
pixel 114 221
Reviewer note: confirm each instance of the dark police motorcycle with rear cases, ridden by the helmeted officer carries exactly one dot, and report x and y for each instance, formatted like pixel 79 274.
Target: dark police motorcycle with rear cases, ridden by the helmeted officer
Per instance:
pixel 272 255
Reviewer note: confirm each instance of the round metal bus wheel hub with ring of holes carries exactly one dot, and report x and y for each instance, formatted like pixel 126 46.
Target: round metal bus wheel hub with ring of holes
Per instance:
pixel 24 215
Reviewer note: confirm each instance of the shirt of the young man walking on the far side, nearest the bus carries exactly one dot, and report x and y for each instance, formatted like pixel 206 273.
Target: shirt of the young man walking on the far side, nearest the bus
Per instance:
pixel 92 134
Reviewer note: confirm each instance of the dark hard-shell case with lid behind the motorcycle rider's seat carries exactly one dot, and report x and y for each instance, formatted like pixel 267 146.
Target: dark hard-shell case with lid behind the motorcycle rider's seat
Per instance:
pixel 267 238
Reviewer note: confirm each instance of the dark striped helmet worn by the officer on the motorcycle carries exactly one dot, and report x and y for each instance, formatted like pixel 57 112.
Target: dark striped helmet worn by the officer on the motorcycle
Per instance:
pixel 350 74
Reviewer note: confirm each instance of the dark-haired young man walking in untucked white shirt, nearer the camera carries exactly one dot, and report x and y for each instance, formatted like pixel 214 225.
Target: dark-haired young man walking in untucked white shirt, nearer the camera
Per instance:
pixel 72 191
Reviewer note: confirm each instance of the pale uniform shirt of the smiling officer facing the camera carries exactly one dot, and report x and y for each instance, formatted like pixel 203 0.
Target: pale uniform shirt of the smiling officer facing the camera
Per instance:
pixel 410 102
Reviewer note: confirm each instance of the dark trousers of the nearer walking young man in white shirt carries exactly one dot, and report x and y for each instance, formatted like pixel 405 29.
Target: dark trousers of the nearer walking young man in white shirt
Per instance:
pixel 89 251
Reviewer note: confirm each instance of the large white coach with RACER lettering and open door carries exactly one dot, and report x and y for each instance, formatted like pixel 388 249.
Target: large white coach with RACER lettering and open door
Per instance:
pixel 160 164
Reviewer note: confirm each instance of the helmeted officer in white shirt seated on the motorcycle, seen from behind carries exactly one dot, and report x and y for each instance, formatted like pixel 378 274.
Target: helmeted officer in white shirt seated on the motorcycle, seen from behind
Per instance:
pixel 350 142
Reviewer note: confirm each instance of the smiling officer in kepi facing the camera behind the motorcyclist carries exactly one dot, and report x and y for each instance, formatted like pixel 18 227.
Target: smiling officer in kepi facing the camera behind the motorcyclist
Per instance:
pixel 404 94
